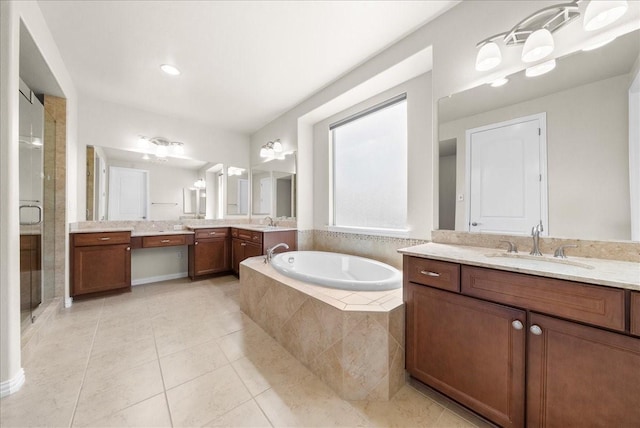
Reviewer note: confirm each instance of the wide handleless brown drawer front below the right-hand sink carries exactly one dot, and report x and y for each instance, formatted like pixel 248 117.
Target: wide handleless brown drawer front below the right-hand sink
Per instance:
pixel 572 300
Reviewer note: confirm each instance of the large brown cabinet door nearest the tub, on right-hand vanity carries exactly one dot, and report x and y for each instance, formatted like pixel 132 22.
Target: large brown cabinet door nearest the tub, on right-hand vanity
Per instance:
pixel 469 350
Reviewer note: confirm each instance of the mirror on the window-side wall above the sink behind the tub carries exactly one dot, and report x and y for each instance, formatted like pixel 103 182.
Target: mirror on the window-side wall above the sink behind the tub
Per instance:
pixel 273 188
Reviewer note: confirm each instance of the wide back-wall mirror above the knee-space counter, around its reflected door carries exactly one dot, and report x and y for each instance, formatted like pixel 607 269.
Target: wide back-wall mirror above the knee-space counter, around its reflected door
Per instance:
pixel 170 183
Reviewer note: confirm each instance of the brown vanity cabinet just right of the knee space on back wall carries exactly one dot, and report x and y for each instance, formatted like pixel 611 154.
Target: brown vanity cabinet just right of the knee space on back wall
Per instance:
pixel 210 252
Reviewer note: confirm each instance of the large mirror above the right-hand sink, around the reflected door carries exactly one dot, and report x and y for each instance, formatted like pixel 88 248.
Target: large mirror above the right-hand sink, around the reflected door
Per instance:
pixel 586 102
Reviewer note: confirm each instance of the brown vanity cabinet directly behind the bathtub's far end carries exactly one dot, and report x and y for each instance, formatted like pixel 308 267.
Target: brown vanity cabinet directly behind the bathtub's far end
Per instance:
pixel 247 243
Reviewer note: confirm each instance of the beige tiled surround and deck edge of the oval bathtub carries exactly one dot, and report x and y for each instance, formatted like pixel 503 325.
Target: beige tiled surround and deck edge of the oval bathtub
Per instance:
pixel 353 341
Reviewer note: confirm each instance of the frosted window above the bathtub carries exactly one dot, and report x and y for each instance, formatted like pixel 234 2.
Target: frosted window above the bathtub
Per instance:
pixel 370 168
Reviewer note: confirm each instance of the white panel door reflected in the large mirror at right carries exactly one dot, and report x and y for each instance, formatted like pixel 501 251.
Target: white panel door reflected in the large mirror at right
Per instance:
pixel 507 177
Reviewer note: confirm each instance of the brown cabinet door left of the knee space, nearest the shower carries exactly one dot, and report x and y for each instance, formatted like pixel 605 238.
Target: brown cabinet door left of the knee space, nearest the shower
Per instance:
pixel 101 268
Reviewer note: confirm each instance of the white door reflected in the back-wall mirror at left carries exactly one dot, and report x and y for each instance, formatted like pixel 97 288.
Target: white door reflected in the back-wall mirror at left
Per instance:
pixel 127 193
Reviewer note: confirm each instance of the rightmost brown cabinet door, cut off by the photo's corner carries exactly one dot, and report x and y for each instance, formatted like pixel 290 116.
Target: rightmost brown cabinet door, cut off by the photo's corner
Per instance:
pixel 581 376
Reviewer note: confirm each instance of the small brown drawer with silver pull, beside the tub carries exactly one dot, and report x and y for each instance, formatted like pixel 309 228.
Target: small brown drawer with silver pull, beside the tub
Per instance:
pixel 437 274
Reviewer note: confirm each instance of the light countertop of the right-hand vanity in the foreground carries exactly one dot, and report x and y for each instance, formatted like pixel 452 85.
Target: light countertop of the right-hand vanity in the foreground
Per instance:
pixel 611 273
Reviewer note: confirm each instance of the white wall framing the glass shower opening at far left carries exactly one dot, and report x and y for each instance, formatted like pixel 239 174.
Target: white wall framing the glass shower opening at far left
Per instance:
pixel 11 14
